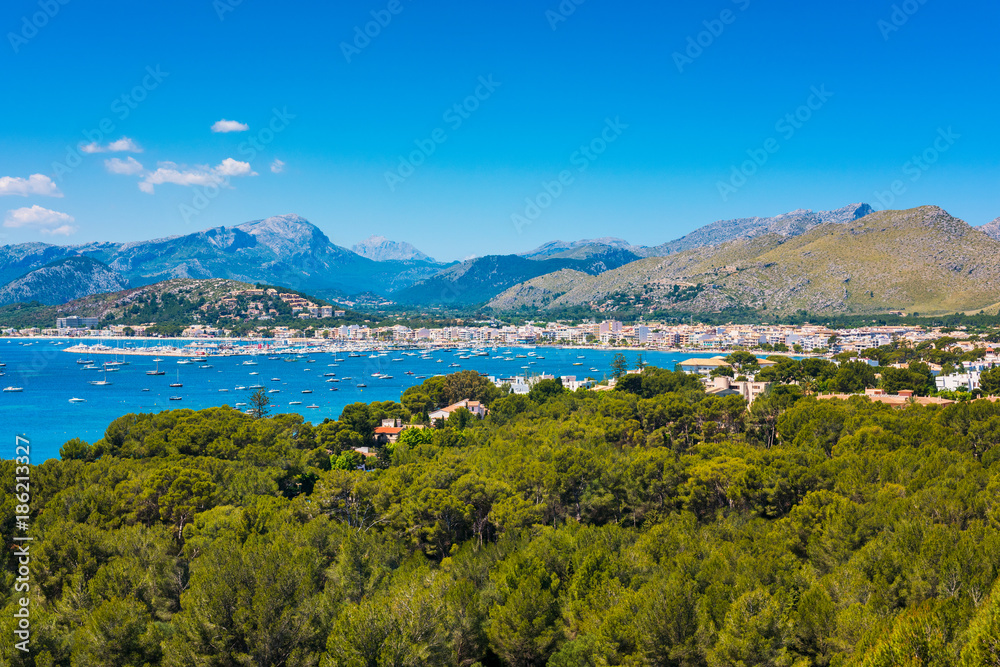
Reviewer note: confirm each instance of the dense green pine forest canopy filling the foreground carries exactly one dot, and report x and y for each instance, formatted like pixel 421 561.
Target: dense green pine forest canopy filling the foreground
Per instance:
pixel 648 525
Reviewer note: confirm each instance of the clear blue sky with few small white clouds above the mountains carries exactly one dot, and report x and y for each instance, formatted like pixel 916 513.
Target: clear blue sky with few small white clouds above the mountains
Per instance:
pixel 656 119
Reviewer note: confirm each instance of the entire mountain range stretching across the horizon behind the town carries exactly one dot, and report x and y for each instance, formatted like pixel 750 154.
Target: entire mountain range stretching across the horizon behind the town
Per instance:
pixel 819 261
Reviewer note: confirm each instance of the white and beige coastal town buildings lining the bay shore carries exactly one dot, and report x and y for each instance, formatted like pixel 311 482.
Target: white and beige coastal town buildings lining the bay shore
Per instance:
pixel 710 350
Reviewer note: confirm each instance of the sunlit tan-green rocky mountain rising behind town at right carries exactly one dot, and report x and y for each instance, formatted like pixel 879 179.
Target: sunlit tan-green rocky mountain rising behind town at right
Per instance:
pixel 921 260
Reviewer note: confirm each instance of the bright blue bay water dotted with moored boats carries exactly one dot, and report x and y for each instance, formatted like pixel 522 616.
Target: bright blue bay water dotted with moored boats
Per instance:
pixel 50 377
